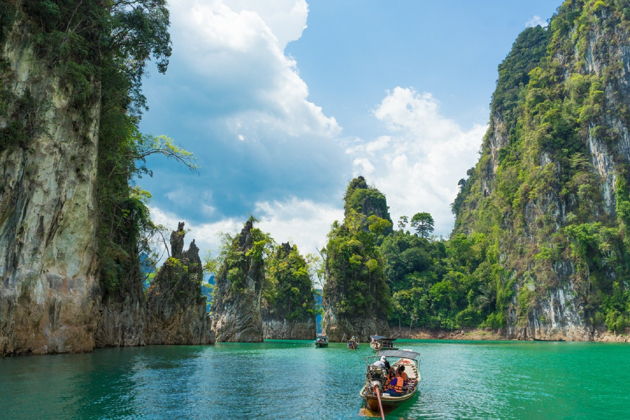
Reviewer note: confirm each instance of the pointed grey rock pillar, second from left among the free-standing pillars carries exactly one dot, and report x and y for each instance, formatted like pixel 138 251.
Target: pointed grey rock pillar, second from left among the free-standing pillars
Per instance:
pixel 236 310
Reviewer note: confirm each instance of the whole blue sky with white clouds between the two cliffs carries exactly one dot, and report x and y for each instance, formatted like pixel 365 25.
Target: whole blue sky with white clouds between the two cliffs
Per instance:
pixel 283 101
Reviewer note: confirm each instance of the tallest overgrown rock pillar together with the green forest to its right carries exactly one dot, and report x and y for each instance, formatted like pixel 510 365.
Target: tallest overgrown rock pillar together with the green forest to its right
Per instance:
pixel 405 275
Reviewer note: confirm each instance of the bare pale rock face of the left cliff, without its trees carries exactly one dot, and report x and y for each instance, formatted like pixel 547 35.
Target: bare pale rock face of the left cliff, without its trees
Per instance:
pixel 48 285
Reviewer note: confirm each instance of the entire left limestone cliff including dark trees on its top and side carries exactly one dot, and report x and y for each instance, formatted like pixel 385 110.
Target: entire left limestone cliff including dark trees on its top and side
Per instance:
pixel 70 227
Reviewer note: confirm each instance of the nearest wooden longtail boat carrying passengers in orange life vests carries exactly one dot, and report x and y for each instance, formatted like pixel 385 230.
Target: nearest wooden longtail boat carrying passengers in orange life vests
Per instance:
pixel 376 392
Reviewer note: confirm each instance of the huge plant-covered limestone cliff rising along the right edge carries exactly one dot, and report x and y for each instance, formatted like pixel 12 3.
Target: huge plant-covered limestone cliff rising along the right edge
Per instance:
pixel 550 190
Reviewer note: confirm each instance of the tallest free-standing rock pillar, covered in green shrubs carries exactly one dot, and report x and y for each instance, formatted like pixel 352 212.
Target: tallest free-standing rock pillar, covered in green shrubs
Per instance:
pixel 356 296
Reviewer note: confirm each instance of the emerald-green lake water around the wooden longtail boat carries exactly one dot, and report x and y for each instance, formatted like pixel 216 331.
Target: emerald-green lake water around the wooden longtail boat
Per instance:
pixel 293 379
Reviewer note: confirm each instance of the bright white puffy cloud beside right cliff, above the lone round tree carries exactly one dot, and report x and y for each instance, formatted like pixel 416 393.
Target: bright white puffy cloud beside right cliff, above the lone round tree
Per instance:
pixel 418 163
